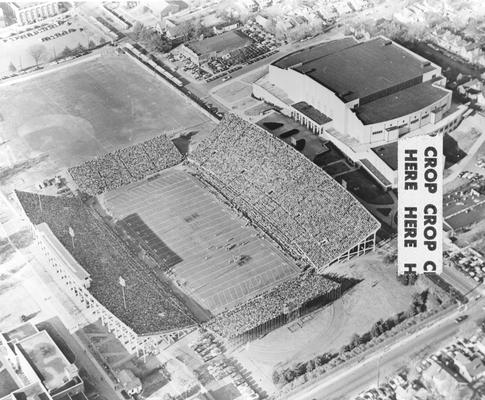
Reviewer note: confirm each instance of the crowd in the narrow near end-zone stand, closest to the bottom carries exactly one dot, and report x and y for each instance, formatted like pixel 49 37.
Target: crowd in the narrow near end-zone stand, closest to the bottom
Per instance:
pixel 281 299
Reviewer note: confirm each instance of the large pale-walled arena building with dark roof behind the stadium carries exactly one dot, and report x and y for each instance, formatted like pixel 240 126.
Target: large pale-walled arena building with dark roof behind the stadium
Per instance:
pixel 362 96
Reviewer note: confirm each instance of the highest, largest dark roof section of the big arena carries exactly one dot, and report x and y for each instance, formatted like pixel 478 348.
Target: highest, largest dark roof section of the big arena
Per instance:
pixel 354 71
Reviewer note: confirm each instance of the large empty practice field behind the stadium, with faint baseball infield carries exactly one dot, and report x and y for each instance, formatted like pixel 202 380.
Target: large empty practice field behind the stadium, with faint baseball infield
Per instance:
pixel 77 112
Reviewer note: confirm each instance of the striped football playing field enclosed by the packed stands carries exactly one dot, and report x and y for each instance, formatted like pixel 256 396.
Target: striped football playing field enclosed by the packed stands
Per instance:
pixel 213 255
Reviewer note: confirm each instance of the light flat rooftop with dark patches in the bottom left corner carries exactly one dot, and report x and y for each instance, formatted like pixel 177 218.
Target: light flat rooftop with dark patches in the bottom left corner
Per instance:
pixel 46 358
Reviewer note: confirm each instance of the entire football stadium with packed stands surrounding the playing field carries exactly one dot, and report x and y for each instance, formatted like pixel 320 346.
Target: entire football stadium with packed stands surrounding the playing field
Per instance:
pixel 235 238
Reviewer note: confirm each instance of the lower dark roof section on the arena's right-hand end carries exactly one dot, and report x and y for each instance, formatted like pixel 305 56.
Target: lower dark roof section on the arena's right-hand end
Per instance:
pixel 401 103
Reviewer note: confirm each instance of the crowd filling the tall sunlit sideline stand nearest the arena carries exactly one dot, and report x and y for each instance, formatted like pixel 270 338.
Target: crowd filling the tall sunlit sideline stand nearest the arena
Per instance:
pixel 282 191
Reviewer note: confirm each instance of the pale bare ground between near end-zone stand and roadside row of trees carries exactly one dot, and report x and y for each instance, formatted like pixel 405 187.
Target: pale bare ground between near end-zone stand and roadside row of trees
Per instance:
pixel 379 295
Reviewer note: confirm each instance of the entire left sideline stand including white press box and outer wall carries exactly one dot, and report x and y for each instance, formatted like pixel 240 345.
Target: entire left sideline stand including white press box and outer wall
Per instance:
pixel 100 259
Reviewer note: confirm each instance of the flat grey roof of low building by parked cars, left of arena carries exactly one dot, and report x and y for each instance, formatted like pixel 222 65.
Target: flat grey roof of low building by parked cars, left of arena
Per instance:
pixel 225 42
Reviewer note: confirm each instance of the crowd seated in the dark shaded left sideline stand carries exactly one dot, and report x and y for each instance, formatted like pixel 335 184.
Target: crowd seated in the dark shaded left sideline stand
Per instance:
pixel 151 306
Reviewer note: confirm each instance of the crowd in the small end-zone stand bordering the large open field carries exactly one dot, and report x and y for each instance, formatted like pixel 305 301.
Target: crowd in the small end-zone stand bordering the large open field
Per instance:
pixel 125 166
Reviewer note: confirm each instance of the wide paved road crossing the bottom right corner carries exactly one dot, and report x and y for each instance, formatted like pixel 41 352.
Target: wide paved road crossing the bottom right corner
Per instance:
pixel 350 382
